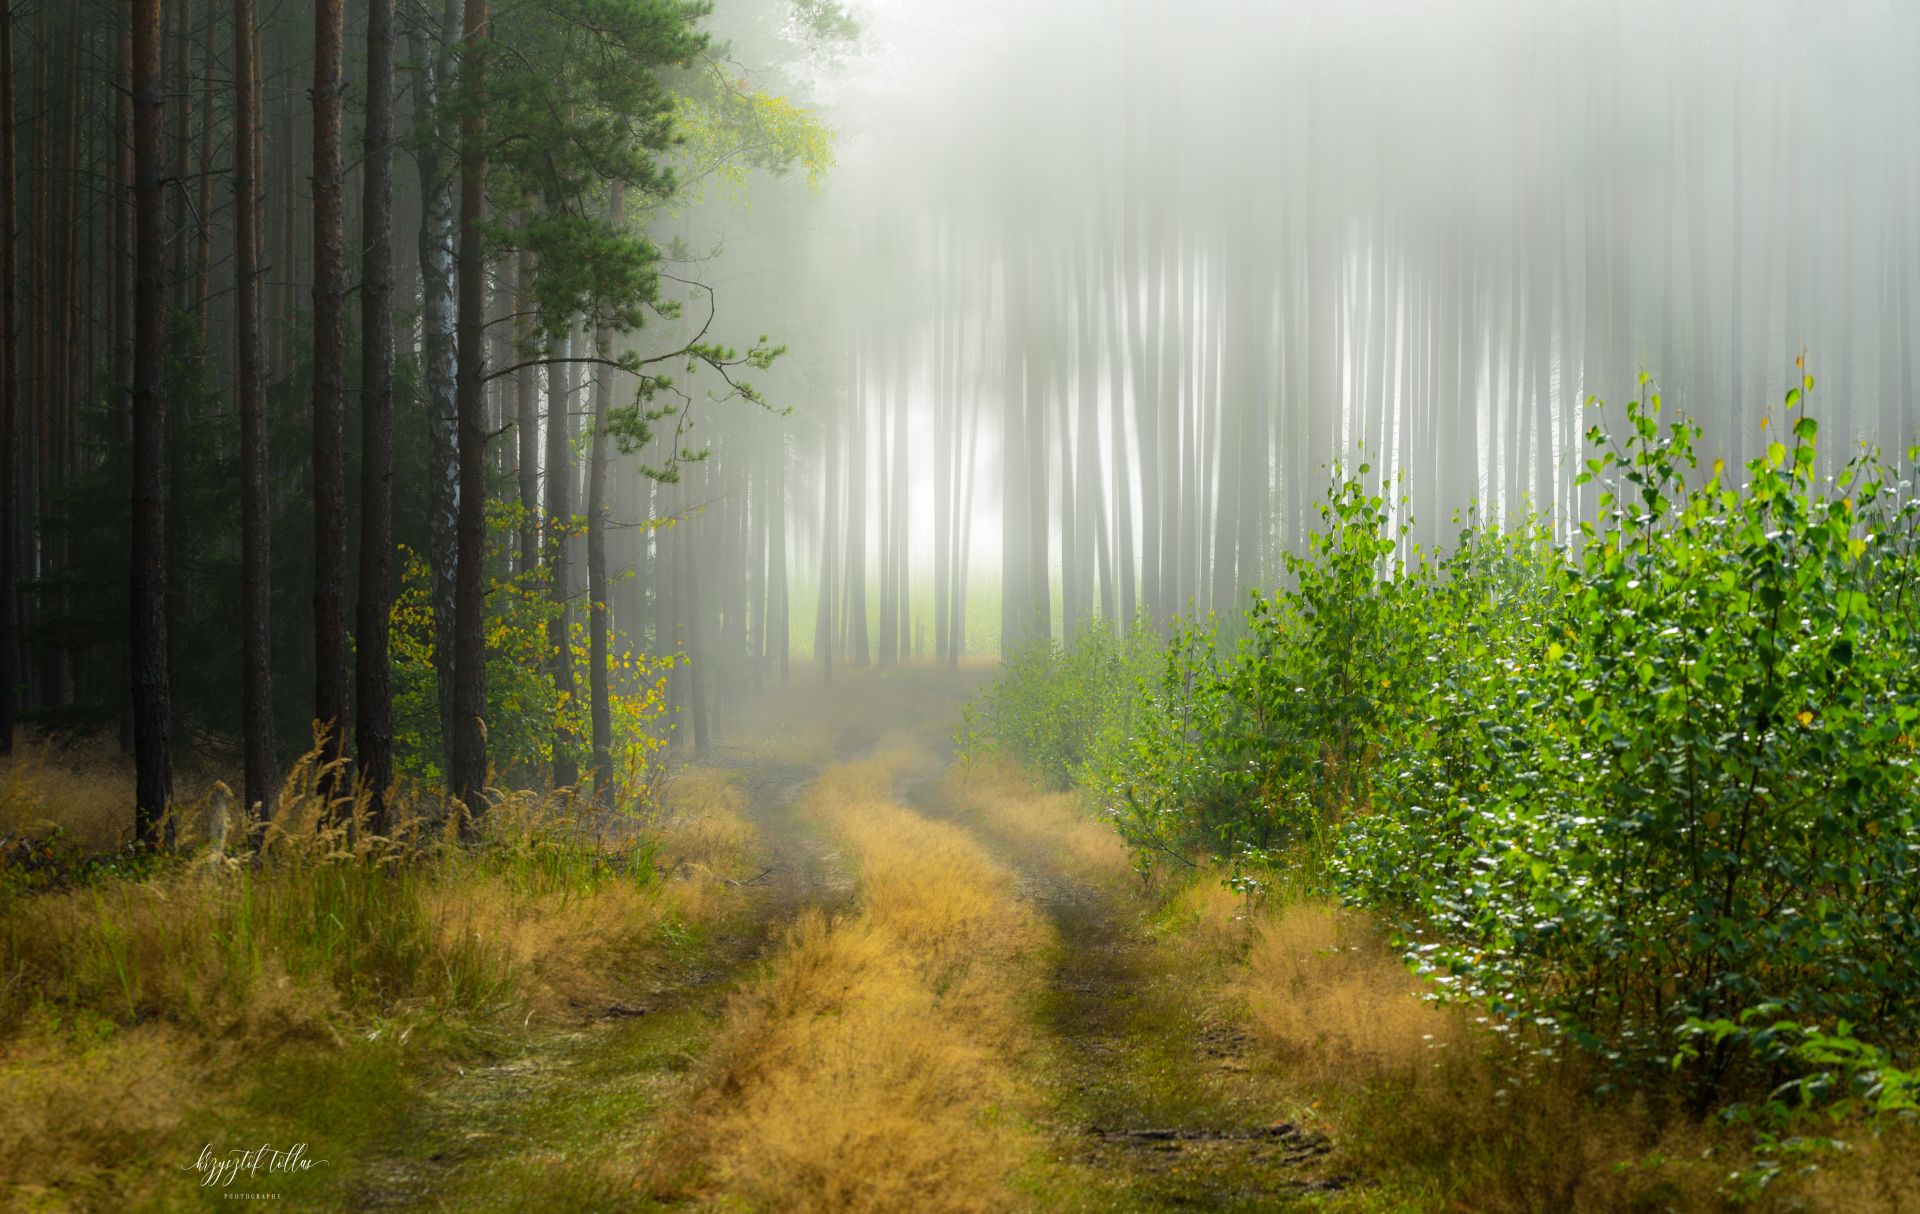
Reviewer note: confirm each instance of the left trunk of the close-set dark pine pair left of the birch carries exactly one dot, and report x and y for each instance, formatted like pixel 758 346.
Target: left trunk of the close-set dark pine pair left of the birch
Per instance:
pixel 329 383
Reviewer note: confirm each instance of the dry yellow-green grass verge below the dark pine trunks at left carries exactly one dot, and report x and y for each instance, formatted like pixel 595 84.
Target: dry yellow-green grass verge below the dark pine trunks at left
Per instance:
pixel 132 1008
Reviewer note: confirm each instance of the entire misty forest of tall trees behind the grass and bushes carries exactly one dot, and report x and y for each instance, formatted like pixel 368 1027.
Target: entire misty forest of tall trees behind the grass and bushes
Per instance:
pixel 855 333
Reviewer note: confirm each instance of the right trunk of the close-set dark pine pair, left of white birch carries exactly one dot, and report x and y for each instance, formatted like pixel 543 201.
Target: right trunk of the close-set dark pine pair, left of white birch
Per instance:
pixel 373 721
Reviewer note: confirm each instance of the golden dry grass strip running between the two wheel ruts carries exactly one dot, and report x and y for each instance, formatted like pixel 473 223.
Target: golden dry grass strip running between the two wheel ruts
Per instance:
pixel 867 1071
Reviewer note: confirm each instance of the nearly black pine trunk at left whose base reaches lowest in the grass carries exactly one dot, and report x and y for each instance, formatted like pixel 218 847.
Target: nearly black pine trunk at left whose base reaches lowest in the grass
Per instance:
pixel 153 694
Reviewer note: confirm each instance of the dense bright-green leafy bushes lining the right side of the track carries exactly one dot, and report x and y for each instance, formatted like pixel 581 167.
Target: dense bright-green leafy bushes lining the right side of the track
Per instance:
pixel 1652 790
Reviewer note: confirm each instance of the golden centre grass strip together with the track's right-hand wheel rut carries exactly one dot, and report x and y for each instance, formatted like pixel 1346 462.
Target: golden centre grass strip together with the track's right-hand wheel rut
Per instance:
pixel 996 1021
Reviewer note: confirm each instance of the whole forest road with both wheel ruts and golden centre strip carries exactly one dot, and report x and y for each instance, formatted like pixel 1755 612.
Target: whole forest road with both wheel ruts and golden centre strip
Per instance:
pixel 934 990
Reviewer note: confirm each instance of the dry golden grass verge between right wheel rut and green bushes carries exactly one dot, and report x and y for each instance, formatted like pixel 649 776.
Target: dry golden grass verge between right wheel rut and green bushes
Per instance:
pixel 1435 1104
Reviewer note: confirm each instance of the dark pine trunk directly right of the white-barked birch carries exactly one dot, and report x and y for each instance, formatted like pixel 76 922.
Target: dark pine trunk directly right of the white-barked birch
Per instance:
pixel 468 769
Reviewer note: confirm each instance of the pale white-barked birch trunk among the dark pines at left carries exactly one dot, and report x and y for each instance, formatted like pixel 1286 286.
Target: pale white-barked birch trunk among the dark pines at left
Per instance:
pixel 433 72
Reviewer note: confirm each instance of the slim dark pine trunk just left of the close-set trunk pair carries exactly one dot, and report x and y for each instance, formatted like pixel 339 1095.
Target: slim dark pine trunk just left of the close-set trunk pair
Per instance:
pixel 256 518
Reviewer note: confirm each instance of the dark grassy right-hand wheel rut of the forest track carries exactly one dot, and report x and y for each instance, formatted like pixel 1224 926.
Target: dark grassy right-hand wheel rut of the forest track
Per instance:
pixel 1147 1092
